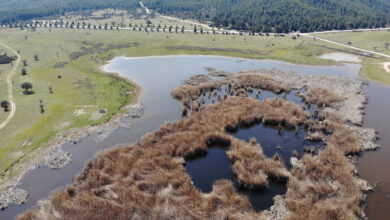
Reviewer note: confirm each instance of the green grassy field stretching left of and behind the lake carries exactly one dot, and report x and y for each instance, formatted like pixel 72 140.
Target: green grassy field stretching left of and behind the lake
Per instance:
pixel 82 90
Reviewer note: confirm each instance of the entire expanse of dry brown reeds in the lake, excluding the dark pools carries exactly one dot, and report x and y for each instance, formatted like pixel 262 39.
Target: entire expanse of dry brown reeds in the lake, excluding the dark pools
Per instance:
pixel 148 180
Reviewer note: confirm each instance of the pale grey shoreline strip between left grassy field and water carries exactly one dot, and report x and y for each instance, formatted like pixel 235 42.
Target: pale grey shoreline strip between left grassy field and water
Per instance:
pixel 52 155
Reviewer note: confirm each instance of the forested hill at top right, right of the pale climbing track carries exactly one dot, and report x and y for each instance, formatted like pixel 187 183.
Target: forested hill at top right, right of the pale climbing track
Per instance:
pixel 281 15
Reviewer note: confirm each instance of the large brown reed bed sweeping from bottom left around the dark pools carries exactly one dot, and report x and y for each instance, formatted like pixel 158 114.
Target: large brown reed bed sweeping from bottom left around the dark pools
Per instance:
pixel 146 181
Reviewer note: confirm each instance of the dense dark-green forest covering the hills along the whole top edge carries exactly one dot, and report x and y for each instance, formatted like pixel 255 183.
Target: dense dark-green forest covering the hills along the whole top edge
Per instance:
pixel 250 15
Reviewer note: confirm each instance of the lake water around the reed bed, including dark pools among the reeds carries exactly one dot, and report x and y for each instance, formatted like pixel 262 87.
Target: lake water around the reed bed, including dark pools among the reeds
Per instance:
pixel 157 76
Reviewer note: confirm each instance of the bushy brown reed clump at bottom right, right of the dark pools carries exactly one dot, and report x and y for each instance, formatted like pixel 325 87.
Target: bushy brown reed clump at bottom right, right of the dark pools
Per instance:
pixel 325 188
